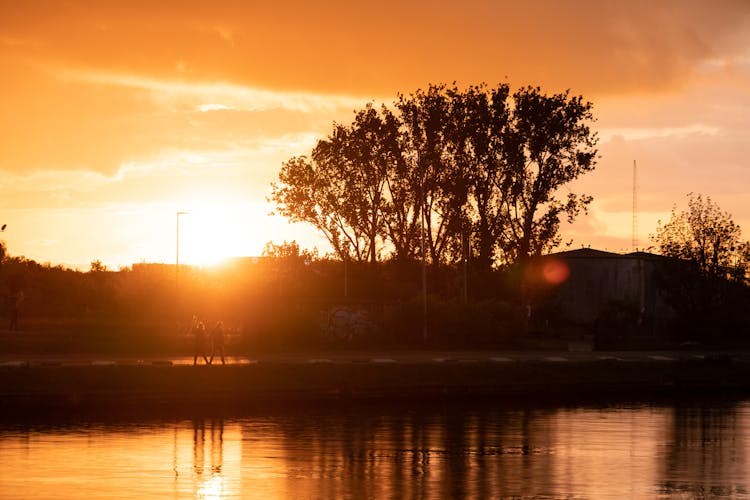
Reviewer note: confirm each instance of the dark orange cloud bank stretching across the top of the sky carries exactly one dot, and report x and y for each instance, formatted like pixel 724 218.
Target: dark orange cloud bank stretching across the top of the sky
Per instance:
pixel 368 50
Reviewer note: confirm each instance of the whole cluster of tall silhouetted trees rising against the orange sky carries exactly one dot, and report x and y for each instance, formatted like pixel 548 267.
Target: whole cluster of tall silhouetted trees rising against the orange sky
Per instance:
pixel 444 171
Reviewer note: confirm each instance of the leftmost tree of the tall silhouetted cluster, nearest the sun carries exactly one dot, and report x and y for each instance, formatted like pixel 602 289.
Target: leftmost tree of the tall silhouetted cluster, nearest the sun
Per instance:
pixel 343 188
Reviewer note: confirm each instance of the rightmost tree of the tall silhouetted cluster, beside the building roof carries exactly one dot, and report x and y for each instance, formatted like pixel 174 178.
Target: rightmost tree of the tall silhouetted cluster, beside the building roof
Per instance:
pixel 547 145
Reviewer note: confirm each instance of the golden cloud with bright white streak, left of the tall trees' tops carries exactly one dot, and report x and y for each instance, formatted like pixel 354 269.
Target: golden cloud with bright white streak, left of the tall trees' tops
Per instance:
pixel 74 120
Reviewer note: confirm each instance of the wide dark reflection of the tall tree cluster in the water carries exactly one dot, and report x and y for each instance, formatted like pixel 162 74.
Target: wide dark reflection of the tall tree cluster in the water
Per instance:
pixel 434 452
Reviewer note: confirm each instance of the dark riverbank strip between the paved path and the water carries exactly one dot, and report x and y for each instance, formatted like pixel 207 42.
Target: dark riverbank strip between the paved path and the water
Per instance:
pixel 53 384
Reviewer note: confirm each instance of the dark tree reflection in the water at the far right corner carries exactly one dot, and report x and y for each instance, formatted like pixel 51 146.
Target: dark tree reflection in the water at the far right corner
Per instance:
pixel 705 453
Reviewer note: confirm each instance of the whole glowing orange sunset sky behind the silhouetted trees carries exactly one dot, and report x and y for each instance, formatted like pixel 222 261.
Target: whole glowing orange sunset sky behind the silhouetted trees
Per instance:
pixel 114 116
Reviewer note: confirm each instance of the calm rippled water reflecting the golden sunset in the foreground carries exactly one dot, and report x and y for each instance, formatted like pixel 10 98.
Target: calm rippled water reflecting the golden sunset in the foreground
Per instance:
pixel 444 450
